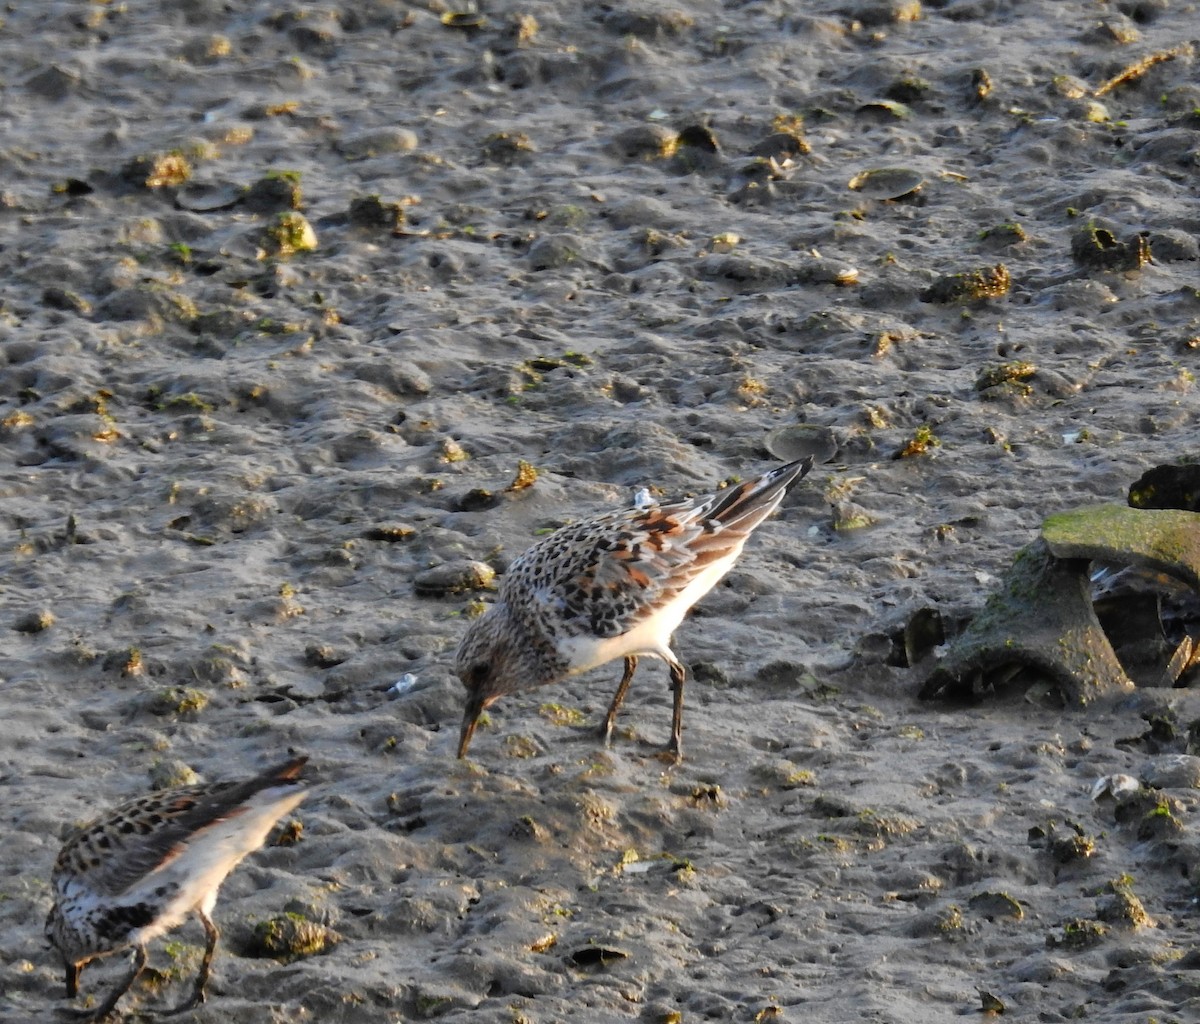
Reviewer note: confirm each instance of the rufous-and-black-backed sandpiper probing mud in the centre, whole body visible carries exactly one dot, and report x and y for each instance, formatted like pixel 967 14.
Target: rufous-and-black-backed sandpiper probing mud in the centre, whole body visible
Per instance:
pixel 613 586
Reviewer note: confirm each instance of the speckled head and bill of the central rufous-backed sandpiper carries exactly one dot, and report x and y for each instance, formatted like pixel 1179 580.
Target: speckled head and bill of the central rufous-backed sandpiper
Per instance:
pixel 491 662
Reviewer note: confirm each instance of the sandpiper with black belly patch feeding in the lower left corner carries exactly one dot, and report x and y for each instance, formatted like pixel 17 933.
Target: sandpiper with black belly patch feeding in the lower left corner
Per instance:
pixel 139 871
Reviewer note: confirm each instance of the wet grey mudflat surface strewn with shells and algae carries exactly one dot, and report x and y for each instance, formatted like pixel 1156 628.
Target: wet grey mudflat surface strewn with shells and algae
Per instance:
pixel 619 244
